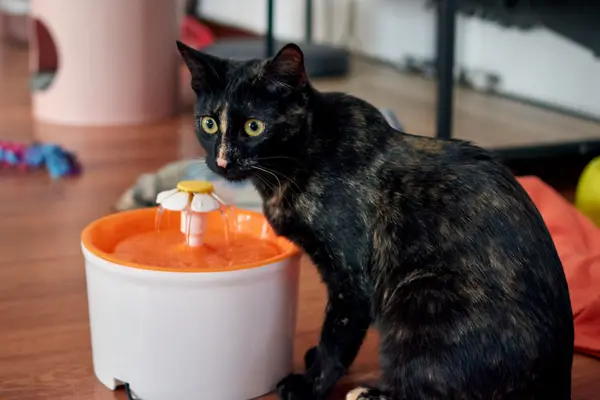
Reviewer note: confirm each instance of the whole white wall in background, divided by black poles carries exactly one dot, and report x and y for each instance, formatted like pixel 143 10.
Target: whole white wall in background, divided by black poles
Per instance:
pixel 537 64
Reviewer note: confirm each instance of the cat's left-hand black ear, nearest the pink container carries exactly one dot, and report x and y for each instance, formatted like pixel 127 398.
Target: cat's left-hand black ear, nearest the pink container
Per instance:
pixel 207 71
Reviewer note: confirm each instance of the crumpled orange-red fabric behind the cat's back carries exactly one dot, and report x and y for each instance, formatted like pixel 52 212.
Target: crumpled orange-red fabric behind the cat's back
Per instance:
pixel 577 240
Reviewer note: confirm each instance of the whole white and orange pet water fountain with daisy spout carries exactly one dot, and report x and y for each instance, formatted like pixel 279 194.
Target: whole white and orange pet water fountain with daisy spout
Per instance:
pixel 191 299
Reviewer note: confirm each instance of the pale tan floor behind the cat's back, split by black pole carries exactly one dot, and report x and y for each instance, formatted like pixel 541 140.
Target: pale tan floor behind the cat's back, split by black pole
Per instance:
pixel 491 122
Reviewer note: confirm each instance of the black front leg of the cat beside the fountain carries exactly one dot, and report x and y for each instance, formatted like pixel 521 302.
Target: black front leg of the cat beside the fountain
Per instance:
pixel 347 319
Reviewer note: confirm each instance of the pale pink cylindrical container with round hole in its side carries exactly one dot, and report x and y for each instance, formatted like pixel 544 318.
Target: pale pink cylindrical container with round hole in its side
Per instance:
pixel 115 60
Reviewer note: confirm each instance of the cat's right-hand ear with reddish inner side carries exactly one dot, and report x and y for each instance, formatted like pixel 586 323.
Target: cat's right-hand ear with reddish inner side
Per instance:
pixel 285 71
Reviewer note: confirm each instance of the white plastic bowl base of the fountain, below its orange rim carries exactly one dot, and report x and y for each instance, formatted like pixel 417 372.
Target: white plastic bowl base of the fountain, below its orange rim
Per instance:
pixel 187 335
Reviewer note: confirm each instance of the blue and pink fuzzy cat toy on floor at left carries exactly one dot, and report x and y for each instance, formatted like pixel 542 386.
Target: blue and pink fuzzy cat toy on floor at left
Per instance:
pixel 57 161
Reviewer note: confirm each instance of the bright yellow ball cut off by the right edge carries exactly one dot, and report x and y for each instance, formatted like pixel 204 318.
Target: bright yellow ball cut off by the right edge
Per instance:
pixel 587 195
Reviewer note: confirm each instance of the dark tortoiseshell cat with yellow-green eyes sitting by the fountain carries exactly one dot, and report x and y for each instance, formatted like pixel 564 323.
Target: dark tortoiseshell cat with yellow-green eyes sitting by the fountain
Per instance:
pixel 432 242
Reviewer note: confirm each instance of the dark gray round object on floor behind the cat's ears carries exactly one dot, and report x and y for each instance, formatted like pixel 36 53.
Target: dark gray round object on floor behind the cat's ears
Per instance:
pixel 320 60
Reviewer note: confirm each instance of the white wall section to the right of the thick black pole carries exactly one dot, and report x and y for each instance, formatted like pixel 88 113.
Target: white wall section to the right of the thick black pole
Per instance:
pixel 538 64
